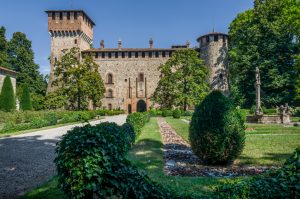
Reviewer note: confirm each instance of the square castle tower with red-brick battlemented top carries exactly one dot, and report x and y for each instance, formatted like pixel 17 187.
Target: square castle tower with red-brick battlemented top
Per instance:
pixel 68 29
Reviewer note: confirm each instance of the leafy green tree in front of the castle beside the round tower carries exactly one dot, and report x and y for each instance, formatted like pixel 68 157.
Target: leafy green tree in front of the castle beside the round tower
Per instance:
pixel 184 80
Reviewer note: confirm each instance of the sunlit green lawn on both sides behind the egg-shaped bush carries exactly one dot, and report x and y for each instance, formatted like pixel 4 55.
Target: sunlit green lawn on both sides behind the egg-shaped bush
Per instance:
pixel 266 144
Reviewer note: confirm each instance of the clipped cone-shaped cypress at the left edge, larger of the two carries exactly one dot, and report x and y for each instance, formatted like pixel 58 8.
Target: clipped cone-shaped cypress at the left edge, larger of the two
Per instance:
pixel 7 96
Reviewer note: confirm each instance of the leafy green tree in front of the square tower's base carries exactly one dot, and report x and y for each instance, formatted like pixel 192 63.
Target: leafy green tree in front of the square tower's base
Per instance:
pixel 79 81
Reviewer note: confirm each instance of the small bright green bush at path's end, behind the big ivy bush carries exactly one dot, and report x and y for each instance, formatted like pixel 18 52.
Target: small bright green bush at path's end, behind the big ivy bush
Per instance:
pixel 137 121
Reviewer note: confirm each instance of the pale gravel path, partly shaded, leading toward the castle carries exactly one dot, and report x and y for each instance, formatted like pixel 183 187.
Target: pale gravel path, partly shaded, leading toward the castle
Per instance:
pixel 26 160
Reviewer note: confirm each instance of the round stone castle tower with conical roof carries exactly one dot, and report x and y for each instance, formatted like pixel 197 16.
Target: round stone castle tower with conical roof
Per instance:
pixel 214 51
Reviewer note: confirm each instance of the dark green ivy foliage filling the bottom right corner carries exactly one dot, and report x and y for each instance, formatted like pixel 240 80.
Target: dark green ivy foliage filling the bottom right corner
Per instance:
pixel 282 183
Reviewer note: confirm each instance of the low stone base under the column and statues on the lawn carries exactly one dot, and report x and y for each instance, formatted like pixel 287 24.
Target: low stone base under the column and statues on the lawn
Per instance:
pixel 268 119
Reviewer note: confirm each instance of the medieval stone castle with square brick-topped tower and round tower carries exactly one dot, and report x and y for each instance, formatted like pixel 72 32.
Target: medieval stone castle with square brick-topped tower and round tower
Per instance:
pixel 130 74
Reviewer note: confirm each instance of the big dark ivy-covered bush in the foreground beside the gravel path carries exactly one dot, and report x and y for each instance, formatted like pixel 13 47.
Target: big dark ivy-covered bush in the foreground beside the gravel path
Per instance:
pixel 101 171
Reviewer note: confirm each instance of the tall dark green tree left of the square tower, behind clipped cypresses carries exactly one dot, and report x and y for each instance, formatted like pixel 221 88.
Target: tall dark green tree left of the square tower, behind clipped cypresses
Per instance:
pixel 21 58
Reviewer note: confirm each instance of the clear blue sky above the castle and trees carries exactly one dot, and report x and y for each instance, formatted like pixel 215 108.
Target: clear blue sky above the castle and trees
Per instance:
pixel 168 22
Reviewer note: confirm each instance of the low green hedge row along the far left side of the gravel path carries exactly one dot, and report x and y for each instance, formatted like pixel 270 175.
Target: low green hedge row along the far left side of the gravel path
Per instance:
pixel 17 121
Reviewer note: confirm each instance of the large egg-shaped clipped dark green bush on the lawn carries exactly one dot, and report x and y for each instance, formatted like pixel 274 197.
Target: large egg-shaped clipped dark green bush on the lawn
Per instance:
pixel 217 132
